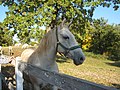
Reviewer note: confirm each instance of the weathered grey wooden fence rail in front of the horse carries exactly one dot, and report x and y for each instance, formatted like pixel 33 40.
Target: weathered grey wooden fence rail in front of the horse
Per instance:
pixel 63 81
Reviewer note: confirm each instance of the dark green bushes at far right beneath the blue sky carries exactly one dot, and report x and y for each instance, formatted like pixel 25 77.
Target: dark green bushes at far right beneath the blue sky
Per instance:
pixel 106 39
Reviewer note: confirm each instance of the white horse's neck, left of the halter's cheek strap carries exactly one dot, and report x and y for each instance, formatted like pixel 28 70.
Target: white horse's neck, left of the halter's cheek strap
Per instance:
pixel 47 47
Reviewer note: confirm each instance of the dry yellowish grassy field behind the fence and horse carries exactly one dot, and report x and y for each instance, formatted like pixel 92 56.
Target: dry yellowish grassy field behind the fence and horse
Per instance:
pixel 96 68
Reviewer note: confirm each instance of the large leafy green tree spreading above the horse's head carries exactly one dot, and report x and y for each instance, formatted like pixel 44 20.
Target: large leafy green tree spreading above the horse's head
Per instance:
pixel 24 14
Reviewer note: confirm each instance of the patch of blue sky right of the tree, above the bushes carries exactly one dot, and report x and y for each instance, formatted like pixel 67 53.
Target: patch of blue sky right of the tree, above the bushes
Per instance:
pixel 108 13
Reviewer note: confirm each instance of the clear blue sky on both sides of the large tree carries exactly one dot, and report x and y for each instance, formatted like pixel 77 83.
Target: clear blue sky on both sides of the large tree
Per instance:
pixel 107 13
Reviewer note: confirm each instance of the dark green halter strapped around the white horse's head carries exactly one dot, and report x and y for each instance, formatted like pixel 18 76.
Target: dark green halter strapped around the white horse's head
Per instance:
pixel 67 50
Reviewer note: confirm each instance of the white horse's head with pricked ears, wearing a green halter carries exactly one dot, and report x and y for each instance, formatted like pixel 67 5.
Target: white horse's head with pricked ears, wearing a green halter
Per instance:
pixel 67 44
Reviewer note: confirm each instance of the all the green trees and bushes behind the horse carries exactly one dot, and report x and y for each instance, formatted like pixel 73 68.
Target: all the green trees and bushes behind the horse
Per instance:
pixel 25 17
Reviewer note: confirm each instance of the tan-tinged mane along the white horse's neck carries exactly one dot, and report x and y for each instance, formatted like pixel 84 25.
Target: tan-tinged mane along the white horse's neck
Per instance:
pixel 46 42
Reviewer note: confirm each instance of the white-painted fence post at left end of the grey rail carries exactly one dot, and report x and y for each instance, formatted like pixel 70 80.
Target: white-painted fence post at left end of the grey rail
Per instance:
pixel 19 75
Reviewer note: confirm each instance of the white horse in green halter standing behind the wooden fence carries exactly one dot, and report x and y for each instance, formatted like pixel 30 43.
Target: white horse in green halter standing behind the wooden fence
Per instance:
pixel 61 40
